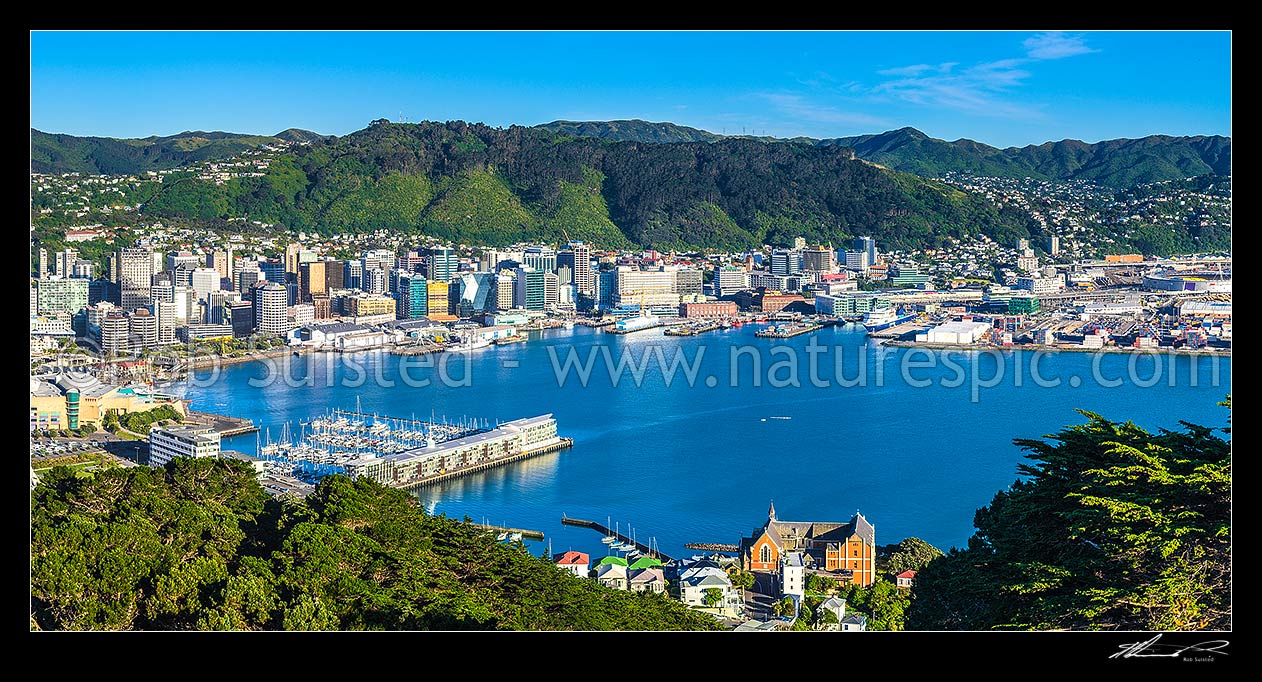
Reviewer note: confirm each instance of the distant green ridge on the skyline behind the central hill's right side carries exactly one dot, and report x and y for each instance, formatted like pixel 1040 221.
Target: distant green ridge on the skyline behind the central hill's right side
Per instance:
pixel 1114 164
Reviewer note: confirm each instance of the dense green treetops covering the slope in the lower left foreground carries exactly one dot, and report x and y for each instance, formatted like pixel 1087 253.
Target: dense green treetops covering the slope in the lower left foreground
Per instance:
pixel 200 546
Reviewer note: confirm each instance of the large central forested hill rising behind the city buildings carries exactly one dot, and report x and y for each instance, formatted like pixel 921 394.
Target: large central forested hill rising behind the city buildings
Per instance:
pixel 480 185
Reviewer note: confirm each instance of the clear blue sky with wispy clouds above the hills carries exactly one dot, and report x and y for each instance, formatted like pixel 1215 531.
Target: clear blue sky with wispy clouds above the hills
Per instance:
pixel 999 88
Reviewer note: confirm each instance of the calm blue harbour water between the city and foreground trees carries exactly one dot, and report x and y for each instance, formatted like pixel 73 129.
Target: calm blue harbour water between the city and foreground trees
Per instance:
pixel 700 462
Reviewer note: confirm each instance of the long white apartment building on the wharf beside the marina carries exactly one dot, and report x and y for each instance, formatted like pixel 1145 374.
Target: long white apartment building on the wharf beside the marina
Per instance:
pixel 412 467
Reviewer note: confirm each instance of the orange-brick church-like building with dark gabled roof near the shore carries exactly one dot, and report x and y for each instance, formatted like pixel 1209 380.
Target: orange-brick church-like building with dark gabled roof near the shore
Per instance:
pixel 847 549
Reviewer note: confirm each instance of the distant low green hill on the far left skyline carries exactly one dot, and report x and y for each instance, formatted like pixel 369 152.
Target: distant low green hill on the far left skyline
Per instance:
pixel 60 153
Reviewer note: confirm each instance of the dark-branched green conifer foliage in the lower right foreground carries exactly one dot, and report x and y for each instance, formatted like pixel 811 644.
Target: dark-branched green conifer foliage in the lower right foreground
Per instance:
pixel 1111 529
